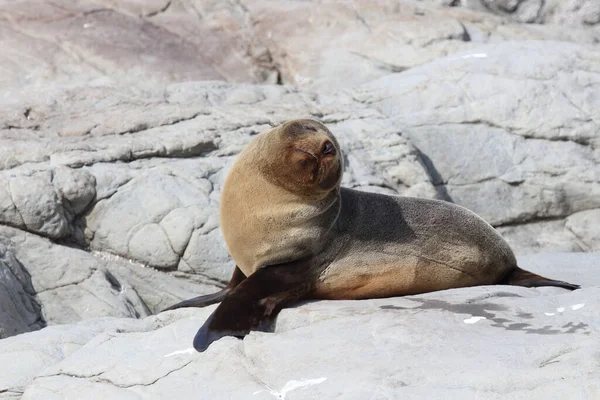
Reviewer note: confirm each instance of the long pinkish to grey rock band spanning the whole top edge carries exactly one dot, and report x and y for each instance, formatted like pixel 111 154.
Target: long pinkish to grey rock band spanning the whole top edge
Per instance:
pixel 326 44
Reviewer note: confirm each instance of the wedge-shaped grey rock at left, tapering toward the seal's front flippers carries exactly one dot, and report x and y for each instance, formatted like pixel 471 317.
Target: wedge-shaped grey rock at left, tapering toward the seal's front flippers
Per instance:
pixel 72 284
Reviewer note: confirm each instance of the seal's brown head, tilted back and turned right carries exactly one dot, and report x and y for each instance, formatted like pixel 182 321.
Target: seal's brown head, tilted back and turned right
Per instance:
pixel 302 156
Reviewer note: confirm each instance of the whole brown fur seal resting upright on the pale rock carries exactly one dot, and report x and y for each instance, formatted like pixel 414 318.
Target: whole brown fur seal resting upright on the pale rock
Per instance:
pixel 295 234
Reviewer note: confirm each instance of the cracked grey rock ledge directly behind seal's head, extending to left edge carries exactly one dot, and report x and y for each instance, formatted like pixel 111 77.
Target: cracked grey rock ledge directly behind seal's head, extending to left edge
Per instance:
pixel 160 209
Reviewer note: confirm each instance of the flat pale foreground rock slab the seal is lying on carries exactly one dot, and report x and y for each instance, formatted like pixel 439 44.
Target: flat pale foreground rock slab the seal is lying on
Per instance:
pixel 492 342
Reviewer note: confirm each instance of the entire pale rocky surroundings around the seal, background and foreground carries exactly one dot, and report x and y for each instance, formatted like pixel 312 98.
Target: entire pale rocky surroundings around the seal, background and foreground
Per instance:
pixel 119 120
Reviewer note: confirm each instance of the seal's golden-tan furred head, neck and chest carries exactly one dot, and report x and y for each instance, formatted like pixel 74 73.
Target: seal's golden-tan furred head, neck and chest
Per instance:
pixel 272 194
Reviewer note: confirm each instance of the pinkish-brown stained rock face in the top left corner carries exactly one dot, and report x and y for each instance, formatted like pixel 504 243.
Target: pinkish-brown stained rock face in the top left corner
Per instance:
pixel 75 40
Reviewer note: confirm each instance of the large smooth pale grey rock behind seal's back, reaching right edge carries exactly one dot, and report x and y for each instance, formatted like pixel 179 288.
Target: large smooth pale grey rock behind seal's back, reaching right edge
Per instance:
pixel 510 164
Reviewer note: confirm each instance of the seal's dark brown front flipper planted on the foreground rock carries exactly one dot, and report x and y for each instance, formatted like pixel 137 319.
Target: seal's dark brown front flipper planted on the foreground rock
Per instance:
pixel 254 304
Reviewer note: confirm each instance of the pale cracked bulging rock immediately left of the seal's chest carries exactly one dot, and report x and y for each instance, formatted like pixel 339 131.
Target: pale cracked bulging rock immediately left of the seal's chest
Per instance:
pixel 144 202
